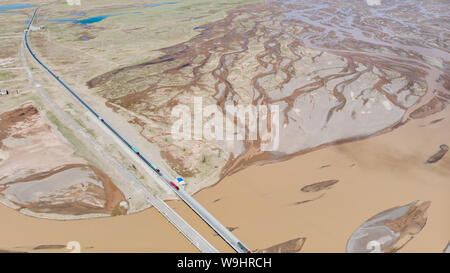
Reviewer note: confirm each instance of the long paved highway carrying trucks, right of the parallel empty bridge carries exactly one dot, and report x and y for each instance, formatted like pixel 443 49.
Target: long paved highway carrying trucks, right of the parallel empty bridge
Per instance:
pixel 220 229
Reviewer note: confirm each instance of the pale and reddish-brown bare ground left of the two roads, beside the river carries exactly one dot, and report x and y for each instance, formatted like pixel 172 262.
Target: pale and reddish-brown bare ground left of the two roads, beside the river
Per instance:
pixel 61 184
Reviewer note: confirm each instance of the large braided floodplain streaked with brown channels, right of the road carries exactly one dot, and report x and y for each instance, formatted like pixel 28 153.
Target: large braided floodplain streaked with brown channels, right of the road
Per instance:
pixel 361 84
